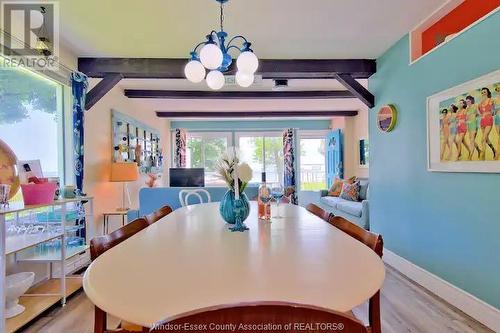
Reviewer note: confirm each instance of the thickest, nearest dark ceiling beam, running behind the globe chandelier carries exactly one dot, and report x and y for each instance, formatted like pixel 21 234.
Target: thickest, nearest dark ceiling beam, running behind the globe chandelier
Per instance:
pixel 165 68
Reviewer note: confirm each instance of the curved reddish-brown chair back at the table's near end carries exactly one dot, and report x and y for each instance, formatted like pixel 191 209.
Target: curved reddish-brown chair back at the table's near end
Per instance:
pixel 284 317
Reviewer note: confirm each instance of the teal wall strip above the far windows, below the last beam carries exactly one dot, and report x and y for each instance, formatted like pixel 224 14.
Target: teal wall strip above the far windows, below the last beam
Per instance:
pixel 251 124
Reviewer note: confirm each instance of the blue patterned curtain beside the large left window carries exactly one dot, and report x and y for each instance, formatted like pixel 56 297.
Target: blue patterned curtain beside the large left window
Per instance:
pixel 79 85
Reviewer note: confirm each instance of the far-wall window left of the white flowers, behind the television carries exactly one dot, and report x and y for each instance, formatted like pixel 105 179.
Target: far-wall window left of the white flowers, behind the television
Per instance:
pixel 203 150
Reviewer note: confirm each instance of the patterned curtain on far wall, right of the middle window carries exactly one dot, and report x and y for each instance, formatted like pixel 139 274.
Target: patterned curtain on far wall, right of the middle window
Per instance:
pixel 289 165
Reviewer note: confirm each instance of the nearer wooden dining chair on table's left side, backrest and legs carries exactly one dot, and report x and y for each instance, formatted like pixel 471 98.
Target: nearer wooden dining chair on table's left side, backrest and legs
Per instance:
pixel 101 244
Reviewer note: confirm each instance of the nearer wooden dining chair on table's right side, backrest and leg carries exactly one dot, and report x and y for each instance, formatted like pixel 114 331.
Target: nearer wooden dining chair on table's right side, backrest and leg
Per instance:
pixel 374 242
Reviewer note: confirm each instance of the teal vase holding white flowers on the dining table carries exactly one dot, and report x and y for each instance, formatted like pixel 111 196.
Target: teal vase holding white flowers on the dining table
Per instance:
pixel 234 206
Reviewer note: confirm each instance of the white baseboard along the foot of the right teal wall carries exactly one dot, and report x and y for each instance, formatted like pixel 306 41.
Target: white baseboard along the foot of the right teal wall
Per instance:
pixel 470 304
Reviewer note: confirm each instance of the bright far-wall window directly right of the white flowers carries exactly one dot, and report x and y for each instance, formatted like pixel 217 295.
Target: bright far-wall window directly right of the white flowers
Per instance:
pixel 263 152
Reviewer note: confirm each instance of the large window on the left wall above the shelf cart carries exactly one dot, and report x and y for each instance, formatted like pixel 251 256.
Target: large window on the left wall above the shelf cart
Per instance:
pixel 31 118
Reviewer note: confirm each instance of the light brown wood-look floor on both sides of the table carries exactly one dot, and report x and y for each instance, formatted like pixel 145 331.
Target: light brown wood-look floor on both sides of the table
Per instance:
pixel 406 307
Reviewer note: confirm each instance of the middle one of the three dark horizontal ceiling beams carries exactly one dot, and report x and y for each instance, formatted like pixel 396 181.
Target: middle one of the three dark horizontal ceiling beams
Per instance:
pixel 194 94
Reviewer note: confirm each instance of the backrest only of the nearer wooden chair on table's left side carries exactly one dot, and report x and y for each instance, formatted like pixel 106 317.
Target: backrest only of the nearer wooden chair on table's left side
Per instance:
pixel 100 244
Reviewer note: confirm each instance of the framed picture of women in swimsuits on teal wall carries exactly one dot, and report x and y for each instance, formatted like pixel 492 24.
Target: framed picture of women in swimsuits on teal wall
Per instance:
pixel 463 127
